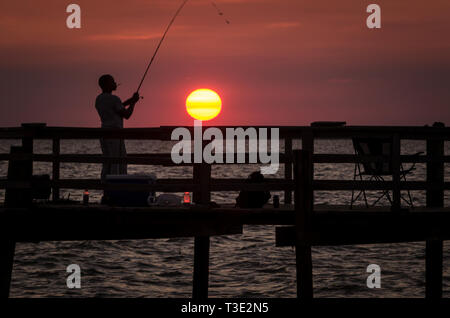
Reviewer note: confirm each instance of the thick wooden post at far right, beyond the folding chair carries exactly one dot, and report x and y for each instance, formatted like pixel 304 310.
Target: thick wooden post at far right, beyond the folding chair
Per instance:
pixel 434 199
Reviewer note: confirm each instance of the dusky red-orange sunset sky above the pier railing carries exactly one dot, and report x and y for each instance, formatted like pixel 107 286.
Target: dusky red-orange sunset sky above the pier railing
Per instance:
pixel 279 62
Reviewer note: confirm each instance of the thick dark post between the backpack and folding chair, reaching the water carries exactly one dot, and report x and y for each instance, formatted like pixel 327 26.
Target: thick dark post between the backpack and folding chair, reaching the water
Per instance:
pixel 303 199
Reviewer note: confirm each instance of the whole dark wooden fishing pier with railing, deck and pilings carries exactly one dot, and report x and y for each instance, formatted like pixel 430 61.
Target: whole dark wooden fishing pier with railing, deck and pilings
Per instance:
pixel 301 223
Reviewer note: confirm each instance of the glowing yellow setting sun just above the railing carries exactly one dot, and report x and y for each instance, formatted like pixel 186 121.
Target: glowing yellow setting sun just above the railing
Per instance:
pixel 203 104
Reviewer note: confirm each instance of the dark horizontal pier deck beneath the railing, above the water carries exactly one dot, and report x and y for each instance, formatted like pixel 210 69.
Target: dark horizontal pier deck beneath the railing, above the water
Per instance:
pixel 331 225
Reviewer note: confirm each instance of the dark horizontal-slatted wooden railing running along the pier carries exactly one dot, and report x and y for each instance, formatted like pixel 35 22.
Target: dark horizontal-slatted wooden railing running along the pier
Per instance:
pixel 435 158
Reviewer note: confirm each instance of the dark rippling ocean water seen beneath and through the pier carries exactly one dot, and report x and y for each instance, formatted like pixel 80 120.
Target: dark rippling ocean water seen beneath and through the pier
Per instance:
pixel 247 265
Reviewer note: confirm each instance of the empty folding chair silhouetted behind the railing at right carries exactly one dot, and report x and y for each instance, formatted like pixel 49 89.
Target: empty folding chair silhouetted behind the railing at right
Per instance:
pixel 377 170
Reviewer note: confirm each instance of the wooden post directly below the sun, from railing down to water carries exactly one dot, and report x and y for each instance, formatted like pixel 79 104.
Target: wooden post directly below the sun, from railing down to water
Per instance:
pixel 202 175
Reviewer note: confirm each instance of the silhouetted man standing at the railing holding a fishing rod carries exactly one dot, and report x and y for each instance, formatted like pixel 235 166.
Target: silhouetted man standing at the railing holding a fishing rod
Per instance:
pixel 112 112
